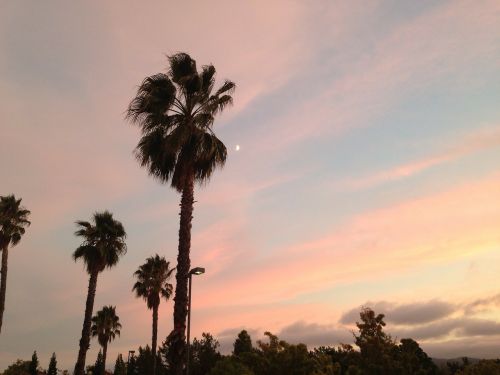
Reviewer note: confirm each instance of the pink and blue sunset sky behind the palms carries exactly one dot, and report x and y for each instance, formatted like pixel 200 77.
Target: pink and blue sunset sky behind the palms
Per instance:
pixel 367 172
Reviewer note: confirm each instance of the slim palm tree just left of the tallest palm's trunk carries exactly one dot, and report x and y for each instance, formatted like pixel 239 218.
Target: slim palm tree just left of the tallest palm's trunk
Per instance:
pixel 151 285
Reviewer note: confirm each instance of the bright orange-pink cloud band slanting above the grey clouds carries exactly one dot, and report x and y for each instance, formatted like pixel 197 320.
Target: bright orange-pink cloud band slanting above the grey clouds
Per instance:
pixel 430 230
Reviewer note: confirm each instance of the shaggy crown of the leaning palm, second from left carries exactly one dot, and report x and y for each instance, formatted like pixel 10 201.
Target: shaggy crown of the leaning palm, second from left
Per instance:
pixel 104 242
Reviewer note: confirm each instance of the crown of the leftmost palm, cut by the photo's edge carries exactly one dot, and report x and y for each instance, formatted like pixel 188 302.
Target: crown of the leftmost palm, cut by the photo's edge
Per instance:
pixel 13 220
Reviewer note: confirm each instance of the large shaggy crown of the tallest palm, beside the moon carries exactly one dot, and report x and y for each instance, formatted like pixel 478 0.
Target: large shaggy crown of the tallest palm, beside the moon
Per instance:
pixel 176 112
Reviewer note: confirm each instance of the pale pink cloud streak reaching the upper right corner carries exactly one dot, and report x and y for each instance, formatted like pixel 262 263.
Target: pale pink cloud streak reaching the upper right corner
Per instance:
pixel 410 58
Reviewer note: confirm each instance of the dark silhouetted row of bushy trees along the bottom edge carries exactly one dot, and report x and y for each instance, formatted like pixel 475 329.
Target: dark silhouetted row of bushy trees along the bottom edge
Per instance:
pixel 374 353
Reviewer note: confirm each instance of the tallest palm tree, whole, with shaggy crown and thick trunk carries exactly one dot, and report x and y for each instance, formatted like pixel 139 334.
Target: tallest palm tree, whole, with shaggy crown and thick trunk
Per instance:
pixel 176 113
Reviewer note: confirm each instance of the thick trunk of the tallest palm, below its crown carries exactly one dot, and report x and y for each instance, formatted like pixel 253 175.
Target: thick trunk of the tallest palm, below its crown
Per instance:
pixel 178 335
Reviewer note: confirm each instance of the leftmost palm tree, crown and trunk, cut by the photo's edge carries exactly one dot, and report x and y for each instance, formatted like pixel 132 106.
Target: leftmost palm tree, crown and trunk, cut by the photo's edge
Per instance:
pixel 13 220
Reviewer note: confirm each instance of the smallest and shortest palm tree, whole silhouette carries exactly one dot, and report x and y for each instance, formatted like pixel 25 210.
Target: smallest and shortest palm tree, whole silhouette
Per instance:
pixel 105 326
